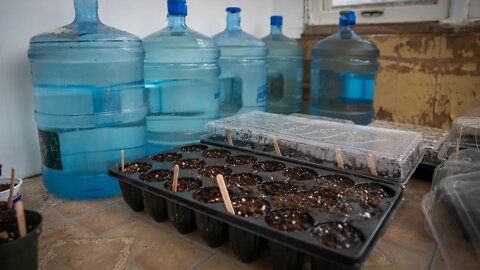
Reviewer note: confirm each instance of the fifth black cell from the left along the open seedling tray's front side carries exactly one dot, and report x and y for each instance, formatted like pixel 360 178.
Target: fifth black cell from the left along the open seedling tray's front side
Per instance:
pixel 245 245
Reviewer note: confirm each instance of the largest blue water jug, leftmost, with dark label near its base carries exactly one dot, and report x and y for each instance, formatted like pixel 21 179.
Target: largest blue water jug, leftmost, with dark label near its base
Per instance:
pixel 89 103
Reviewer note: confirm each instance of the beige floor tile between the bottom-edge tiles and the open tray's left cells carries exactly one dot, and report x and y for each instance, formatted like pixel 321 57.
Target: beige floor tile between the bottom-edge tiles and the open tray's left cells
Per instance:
pixel 145 235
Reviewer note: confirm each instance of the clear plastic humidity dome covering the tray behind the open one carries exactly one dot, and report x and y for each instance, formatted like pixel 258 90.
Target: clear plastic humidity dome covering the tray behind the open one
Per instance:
pixel 392 150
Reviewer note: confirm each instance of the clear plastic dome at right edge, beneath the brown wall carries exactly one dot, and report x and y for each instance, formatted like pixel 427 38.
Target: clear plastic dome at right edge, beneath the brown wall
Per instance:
pixel 465 133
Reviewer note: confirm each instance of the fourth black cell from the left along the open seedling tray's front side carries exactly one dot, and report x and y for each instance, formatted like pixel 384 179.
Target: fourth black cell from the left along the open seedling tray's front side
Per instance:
pixel 212 230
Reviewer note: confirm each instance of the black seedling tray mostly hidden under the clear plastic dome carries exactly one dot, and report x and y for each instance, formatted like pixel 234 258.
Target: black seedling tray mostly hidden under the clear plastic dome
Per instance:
pixel 293 155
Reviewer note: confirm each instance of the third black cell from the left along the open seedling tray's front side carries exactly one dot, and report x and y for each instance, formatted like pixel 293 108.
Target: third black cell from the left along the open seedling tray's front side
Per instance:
pixel 182 218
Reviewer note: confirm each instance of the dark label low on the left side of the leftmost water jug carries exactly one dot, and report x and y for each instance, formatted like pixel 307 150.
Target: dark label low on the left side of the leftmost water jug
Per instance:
pixel 50 149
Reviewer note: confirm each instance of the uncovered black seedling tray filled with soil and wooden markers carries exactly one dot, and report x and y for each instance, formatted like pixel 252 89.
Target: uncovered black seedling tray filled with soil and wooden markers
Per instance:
pixel 345 202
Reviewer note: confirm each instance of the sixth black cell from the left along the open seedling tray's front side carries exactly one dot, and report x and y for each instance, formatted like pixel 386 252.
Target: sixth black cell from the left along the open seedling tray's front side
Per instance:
pixel 285 258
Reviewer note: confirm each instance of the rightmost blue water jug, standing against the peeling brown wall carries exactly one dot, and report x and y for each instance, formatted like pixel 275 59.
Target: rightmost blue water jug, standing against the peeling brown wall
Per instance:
pixel 344 67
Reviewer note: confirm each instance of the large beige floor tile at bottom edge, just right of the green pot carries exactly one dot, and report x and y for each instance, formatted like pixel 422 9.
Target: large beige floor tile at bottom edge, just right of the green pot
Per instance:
pixel 88 254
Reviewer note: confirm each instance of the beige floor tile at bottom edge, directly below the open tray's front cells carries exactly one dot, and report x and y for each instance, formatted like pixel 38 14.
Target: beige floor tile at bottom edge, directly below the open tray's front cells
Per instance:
pixel 172 254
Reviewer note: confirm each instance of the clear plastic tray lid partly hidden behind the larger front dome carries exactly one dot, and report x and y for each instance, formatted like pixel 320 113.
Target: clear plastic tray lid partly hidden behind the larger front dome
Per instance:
pixel 433 139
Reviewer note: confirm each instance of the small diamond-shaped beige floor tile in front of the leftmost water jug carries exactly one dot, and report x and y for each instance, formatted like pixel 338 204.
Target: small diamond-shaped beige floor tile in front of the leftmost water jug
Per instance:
pixel 105 220
